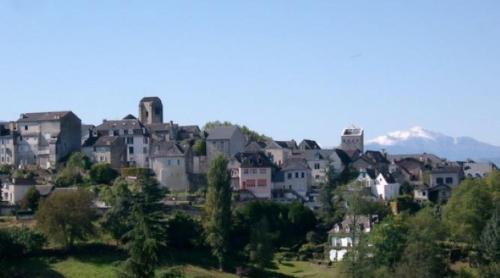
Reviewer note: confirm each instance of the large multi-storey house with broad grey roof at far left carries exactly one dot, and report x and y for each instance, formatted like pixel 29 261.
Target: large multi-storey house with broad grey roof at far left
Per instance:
pixel 46 138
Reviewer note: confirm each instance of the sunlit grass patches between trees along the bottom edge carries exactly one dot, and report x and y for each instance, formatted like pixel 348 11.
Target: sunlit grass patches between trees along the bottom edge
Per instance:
pixel 101 261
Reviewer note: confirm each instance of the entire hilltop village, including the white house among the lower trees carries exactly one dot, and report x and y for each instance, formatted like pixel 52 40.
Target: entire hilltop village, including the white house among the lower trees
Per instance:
pixel 35 150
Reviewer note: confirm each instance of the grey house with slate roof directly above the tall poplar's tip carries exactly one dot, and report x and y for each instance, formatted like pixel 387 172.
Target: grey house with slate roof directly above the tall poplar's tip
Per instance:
pixel 226 140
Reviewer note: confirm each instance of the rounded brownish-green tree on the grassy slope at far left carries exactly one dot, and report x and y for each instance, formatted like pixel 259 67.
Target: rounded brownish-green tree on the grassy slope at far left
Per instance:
pixel 66 216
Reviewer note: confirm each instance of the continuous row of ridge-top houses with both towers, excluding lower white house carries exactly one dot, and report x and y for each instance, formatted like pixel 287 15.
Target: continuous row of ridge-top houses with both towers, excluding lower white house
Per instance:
pixel 271 169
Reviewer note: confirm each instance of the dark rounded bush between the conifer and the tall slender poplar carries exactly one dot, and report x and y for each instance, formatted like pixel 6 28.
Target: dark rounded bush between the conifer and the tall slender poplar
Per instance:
pixel 183 232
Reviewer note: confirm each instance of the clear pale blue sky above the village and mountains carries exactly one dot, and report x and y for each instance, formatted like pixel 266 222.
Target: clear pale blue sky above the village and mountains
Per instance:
pixel 290 69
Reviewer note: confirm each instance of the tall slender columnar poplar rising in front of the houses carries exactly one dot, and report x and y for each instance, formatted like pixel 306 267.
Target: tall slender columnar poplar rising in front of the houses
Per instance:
pixel 217 221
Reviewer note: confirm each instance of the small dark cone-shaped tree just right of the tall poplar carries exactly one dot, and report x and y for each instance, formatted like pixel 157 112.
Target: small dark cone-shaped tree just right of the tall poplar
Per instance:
pixel 260 250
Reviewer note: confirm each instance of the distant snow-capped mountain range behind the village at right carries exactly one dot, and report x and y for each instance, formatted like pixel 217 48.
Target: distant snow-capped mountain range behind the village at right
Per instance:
pixel 419 140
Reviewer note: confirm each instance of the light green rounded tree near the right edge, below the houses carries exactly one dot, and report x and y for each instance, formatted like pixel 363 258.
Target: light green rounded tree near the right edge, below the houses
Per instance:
pixel 468 210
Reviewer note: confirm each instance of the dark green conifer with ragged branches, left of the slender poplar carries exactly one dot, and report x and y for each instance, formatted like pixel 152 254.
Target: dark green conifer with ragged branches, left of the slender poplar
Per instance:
pixel 144 241
